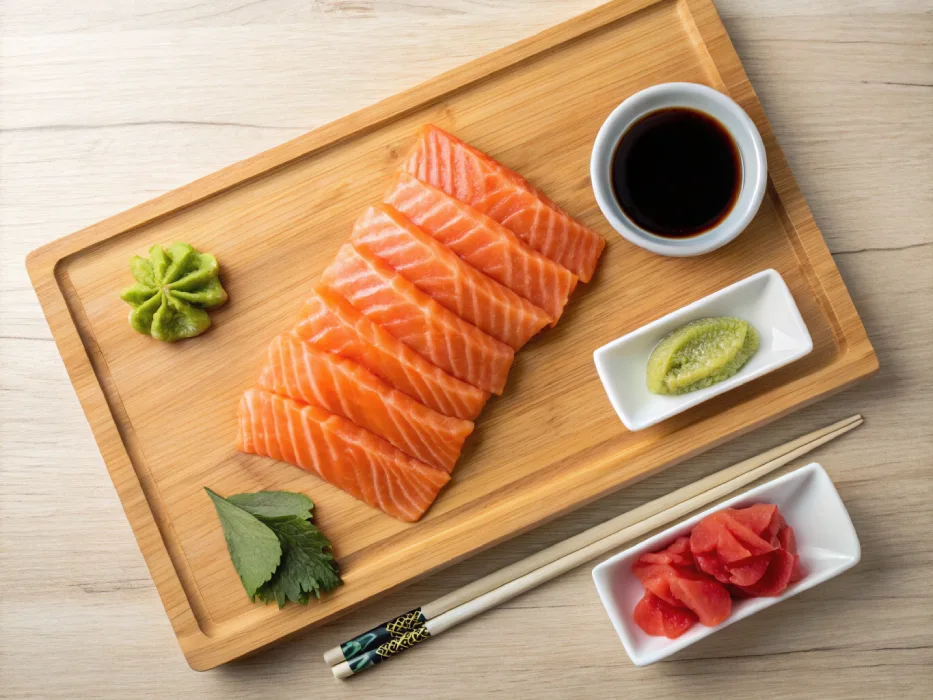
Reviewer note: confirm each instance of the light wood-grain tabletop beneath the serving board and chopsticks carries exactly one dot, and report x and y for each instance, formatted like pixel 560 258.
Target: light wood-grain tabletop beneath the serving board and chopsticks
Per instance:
pixel 106 103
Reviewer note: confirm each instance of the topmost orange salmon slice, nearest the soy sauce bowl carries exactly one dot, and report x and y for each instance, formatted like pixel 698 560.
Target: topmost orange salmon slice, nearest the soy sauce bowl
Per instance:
pixel 444 161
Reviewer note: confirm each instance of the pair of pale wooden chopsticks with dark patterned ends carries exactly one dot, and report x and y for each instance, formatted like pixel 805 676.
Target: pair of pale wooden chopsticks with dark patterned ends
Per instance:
pixel 439 615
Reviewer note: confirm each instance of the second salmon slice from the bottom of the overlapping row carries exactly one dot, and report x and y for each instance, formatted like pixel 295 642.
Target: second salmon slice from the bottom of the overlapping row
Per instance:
pixel 300 371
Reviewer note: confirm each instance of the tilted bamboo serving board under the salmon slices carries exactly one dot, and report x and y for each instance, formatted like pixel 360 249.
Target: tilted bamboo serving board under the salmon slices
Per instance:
pixel 164 415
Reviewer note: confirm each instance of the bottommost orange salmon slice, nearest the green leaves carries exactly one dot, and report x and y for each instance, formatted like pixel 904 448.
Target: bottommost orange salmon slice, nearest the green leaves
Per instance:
pixel 338 451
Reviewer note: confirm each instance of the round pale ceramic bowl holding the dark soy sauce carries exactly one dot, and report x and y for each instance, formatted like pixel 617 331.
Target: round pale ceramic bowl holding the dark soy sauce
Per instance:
pixel 722 109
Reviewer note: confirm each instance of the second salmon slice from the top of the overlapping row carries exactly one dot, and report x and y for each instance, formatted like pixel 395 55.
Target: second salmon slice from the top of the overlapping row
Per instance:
pixel 483 243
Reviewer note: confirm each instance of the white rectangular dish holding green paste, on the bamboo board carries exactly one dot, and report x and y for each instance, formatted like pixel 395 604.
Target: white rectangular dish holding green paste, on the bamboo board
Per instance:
pixel 762 299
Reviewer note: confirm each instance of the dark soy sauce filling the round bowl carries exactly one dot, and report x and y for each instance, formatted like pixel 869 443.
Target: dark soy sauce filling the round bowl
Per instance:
pixel 676 172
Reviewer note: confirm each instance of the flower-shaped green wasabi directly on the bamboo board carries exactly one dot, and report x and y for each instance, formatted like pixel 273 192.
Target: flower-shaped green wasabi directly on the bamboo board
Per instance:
pixel 173 289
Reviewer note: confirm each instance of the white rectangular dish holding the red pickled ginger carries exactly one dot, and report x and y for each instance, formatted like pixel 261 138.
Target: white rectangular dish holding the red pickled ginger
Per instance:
pixel 826 542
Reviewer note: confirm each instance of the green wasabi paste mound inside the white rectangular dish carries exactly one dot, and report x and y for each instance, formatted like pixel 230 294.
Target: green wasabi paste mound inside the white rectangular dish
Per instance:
pixel 700 354
